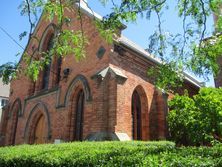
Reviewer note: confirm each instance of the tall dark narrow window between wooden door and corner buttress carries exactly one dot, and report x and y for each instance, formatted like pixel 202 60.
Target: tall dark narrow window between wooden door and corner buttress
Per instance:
pixel 78 133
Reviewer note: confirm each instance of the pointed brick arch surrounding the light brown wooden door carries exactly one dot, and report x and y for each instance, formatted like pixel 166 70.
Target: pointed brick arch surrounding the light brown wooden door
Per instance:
pixel 36 113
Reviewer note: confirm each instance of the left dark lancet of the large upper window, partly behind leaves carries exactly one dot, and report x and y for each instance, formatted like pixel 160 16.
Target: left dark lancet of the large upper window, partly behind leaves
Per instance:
pixel 46 72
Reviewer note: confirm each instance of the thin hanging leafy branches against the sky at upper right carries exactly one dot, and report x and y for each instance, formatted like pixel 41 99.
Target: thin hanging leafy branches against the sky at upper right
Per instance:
pixel 187 48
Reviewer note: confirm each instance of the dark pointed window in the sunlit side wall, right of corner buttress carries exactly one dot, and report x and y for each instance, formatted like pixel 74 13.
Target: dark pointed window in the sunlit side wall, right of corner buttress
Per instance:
pixel 136 116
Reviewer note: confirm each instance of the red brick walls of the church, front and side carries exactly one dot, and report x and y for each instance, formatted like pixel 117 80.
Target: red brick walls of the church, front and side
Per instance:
pixel 108 99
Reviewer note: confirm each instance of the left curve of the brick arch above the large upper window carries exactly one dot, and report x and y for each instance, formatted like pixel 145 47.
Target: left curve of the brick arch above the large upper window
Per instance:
pixel 50 30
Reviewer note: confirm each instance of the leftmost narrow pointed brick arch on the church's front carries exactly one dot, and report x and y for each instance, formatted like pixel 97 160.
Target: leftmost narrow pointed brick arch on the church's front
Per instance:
pixel 15 112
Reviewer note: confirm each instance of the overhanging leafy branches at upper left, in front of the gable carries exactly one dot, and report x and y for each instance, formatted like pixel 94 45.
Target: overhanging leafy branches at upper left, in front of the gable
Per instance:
pixel 65 42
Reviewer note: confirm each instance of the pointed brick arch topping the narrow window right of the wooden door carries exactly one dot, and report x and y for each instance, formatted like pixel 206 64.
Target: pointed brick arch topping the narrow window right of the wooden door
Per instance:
pixel 79 80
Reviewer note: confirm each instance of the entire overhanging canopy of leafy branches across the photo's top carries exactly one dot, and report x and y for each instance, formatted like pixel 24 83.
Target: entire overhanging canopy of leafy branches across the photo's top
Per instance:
pixel 189 50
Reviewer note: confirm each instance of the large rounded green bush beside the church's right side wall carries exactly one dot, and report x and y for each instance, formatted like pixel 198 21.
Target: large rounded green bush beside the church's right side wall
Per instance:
pixel 197 120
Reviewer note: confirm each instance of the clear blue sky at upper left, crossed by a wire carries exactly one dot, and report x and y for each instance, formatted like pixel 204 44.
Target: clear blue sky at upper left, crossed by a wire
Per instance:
pixel 14 24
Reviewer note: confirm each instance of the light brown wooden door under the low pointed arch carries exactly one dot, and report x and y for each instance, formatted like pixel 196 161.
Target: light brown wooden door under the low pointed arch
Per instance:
pixel 40 134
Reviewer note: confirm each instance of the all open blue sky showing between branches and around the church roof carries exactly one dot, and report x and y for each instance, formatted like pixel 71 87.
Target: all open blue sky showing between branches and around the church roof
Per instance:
pixel 14 24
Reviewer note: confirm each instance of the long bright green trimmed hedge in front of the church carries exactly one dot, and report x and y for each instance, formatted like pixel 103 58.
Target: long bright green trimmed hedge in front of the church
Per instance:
pixel 81 154
